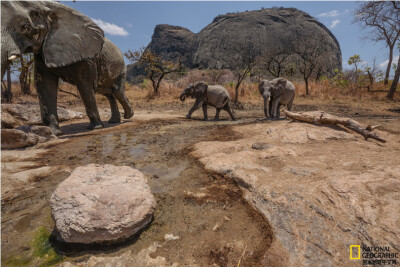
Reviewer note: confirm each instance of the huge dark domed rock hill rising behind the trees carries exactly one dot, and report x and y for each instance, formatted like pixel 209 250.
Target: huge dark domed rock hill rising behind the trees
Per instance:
pixel 221 43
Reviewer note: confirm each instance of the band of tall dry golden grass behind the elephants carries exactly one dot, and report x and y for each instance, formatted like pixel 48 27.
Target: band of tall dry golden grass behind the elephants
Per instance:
pixel 320 91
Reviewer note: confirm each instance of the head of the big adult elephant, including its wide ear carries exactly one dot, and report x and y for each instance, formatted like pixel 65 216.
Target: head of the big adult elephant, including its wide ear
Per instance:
pixel 60 34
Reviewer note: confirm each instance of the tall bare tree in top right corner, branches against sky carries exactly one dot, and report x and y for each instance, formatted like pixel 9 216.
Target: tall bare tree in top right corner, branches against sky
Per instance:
pixel 382 17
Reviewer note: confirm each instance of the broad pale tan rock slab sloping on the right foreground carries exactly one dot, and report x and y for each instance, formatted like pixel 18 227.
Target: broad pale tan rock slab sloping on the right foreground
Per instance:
pixel 321 188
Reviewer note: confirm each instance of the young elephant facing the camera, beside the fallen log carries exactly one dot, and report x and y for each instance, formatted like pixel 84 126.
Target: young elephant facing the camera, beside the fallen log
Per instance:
pixel 275 93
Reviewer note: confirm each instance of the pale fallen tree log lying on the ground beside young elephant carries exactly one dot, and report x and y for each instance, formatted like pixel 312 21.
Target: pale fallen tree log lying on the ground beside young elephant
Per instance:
pixel 320 117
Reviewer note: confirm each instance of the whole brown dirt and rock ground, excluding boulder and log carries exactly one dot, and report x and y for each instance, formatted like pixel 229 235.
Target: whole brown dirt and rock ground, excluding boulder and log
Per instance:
pixel 248 193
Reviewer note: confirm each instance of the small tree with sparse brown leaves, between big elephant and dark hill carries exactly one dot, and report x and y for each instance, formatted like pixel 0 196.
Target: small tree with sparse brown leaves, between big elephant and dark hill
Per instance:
pixel 155 66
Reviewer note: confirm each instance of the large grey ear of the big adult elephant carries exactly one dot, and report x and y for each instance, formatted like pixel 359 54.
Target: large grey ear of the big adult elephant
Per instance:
pixel 72 36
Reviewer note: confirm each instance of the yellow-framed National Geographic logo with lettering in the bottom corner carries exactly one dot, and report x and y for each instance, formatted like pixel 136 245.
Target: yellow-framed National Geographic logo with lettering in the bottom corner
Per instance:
pixel 374 255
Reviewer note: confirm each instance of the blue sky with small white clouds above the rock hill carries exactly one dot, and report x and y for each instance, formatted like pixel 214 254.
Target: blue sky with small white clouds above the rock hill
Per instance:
pixel 130 25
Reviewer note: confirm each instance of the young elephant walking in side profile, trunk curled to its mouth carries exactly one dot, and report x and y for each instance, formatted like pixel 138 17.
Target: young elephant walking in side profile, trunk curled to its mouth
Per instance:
pixel 213 95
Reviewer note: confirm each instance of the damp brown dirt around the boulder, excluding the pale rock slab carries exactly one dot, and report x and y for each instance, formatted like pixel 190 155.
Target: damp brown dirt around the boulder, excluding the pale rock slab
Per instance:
pixel 214 222
